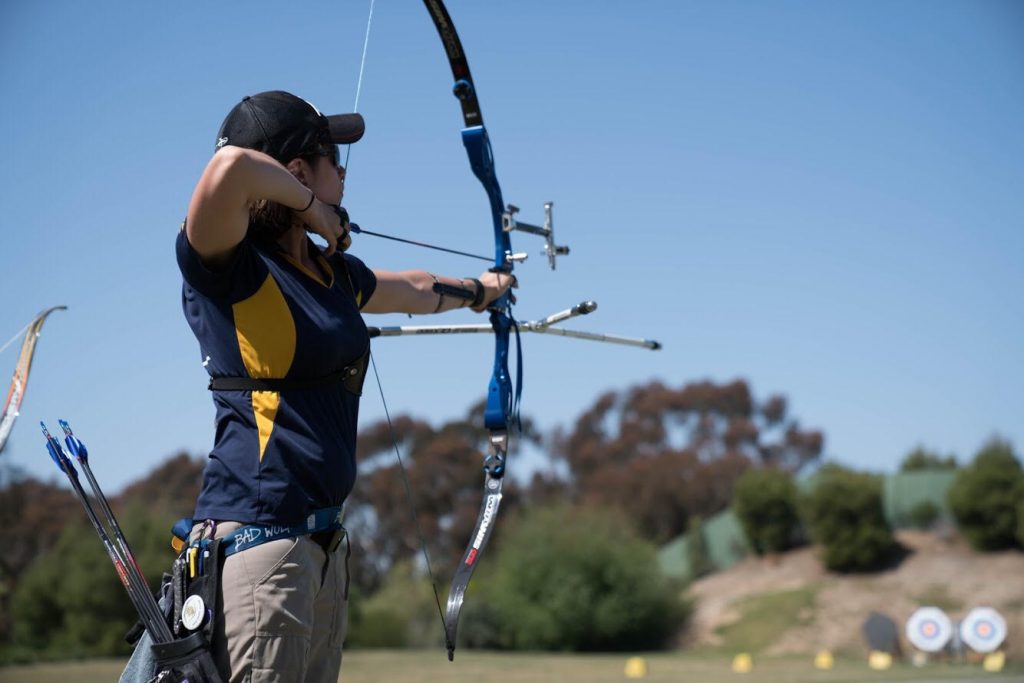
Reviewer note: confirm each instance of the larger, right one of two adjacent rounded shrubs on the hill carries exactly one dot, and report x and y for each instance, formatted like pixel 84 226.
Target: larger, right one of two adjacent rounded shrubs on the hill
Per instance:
pixel 844 515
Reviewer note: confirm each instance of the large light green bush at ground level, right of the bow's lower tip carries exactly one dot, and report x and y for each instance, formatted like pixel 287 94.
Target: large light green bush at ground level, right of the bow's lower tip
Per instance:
pixel 580 580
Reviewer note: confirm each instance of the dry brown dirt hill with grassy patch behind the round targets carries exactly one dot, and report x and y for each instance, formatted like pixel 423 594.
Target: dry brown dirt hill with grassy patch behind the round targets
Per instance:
pixel 789 605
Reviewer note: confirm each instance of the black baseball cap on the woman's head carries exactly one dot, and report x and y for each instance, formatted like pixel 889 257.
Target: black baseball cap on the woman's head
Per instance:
pixel 284 126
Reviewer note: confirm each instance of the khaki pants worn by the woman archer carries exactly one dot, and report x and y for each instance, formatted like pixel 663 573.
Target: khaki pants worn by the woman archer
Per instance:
pixel 283 614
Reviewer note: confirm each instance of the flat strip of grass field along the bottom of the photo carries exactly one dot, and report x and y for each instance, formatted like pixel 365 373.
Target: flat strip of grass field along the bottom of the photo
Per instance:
pixel 420 667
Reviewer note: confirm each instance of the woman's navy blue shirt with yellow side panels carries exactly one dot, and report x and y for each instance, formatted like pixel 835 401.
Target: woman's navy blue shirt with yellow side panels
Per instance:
pixel 278 456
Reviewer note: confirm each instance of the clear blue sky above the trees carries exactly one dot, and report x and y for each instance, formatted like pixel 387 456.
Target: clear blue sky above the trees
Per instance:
pixel 825 199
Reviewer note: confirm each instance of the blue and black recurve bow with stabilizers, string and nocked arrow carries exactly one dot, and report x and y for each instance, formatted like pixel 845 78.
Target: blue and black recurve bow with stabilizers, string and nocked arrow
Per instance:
pixel 502 411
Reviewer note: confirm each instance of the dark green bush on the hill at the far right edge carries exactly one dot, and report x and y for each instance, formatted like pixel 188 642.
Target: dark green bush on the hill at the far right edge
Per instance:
pixel 986 496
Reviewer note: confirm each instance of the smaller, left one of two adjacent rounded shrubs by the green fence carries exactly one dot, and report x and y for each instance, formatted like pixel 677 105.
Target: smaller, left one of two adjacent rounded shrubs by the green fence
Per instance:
pixel 765 501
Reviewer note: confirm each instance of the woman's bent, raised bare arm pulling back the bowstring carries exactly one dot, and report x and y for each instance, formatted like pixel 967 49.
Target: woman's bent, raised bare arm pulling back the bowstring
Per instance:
pixel 232 183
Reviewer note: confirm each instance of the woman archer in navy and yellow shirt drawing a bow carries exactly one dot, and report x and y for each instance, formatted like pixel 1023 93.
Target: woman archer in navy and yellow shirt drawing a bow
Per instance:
pixel 280 328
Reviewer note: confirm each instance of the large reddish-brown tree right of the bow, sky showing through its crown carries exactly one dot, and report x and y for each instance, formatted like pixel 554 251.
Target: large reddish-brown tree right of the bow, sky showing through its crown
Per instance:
pixel 664 455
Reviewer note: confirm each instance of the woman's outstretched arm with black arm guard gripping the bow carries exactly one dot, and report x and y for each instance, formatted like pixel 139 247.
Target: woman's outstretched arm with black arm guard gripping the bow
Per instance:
pixel 413 292
